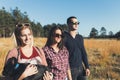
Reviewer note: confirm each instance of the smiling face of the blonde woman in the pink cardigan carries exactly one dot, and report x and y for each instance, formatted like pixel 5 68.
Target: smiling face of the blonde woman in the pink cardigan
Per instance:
pixel 26 37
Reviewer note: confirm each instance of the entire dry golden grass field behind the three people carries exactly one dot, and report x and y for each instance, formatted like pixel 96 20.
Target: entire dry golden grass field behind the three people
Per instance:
pixel 103 55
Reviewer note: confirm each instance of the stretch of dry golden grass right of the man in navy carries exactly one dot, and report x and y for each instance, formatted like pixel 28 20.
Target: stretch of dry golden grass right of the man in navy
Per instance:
pixel 104 58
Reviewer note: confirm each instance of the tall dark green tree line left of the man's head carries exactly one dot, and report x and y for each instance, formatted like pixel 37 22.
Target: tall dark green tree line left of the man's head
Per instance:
pixel 8 21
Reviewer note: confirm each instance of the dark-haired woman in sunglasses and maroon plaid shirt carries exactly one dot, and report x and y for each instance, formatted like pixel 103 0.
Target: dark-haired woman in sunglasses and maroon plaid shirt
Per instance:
pixel 57 55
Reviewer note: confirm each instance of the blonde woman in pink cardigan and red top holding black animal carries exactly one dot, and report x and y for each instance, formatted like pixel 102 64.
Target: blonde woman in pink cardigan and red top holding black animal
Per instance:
pixel 27 52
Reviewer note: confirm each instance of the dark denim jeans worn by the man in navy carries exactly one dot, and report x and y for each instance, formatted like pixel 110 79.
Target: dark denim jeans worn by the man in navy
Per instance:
pixel 78 73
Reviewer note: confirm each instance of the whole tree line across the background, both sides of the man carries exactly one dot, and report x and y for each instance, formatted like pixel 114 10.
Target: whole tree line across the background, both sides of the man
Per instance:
pixel 8 21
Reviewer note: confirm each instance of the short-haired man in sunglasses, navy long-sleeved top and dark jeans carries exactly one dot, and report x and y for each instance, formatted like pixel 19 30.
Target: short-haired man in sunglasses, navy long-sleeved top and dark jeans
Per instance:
pixel 77 53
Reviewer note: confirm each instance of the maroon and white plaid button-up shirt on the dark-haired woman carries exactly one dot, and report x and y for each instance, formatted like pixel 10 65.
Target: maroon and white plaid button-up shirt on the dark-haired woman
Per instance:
pixel 58 62
